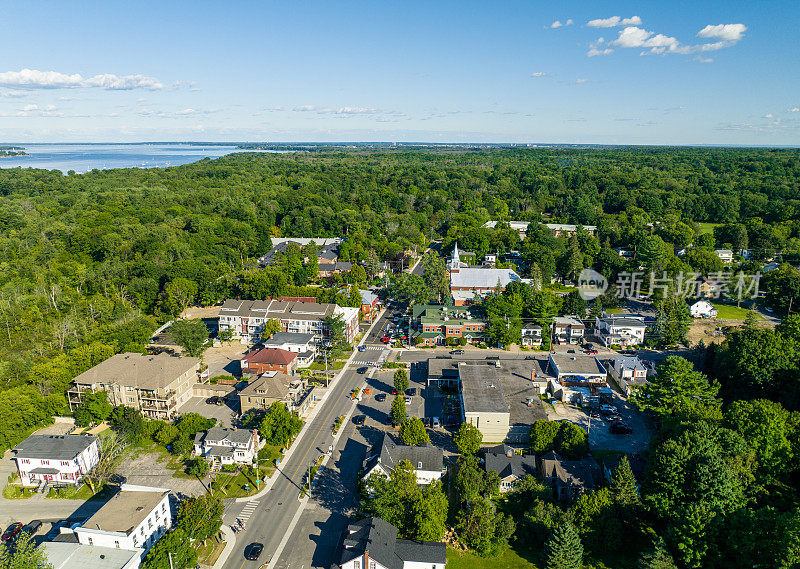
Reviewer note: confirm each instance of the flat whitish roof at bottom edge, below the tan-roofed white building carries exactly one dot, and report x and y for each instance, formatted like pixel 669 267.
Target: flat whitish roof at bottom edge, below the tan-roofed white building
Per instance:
pixel 69 555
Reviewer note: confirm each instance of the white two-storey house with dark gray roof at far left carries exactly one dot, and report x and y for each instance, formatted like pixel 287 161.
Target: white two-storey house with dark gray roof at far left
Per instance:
pixel 57 460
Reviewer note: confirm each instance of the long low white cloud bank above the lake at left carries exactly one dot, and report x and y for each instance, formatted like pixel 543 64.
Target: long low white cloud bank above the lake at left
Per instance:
pixel 34 79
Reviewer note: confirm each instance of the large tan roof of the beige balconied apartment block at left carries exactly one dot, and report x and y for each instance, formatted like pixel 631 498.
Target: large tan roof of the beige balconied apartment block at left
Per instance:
pixel 137 370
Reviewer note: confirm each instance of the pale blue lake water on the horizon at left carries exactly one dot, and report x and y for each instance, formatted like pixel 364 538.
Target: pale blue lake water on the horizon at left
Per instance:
pixel 86 157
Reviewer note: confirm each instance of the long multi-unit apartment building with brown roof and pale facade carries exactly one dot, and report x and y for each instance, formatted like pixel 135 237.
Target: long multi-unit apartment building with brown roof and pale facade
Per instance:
pixel 246 318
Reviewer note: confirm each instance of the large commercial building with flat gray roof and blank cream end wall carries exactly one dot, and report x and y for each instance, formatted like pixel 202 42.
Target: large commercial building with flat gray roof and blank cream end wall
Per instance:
pixel 483 403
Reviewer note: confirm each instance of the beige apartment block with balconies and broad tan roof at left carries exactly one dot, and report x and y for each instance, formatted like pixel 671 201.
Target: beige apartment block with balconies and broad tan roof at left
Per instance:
pixel 156 385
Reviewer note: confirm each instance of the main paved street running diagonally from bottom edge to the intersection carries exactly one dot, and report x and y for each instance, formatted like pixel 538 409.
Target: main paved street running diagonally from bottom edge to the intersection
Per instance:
pixel 270 519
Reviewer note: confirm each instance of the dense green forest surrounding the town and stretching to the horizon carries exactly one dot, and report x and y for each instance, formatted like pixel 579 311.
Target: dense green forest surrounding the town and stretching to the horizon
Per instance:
pixel 91 264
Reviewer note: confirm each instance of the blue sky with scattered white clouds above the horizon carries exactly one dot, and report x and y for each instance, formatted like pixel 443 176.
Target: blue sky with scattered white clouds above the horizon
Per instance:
pixel 699 72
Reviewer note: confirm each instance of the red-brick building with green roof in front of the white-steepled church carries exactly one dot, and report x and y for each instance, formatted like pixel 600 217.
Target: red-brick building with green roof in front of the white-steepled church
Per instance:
pixel 438 323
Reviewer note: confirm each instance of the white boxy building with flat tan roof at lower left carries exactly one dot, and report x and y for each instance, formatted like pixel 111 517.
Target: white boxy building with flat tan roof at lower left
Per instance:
pixel 135 518
